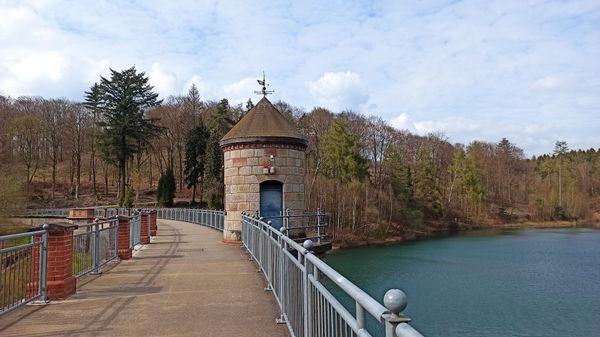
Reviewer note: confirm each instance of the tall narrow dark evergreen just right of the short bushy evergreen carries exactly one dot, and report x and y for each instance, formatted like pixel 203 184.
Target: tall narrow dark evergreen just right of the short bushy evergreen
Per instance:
pixel 195 154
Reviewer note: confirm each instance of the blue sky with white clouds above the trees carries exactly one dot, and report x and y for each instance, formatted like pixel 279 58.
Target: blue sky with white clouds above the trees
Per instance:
pixel 525 70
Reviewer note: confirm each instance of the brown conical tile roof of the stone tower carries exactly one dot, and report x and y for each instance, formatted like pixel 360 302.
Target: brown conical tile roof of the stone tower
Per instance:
pixel 263 123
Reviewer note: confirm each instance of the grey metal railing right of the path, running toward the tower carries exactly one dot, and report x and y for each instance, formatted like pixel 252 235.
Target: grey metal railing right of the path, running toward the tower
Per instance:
pixel 298 281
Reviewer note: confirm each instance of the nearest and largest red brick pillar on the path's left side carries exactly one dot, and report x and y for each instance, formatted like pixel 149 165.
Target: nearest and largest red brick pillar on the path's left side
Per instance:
pixel 60 282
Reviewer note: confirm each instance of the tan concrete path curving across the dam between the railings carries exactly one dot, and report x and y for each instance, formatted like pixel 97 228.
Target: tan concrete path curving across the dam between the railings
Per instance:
pixel 185 283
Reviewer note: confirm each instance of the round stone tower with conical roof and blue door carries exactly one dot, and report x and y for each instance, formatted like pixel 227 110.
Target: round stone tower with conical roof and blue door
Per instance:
pixel 264 167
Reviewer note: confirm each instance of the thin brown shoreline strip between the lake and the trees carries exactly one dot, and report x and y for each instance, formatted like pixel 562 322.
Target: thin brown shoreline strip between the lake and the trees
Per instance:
pixel 416 235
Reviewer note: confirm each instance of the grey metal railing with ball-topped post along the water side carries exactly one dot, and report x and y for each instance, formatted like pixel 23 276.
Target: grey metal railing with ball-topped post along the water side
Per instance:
pixel 261 248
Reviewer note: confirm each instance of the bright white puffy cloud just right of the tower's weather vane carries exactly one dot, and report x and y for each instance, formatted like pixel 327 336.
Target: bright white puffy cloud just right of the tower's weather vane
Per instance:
pixel 340 90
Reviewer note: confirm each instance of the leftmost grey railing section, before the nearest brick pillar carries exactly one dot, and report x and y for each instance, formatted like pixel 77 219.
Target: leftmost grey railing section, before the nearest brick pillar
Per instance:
pixel 23 268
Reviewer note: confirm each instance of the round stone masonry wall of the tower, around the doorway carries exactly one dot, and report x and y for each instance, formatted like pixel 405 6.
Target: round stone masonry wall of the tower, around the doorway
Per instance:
pixel 243 175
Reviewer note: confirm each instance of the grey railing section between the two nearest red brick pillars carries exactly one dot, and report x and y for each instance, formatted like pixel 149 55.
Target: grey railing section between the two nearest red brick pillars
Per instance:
pixel 94 245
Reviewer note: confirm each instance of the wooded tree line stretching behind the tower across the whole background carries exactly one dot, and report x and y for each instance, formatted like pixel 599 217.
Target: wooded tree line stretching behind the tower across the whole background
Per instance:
pixel 123 143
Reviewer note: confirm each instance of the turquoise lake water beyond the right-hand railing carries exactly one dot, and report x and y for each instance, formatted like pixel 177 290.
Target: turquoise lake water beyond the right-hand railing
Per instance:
pixel 539 282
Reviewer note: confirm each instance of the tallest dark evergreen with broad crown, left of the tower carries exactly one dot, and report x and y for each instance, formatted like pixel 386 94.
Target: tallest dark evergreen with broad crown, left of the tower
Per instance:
pixel 125 130
